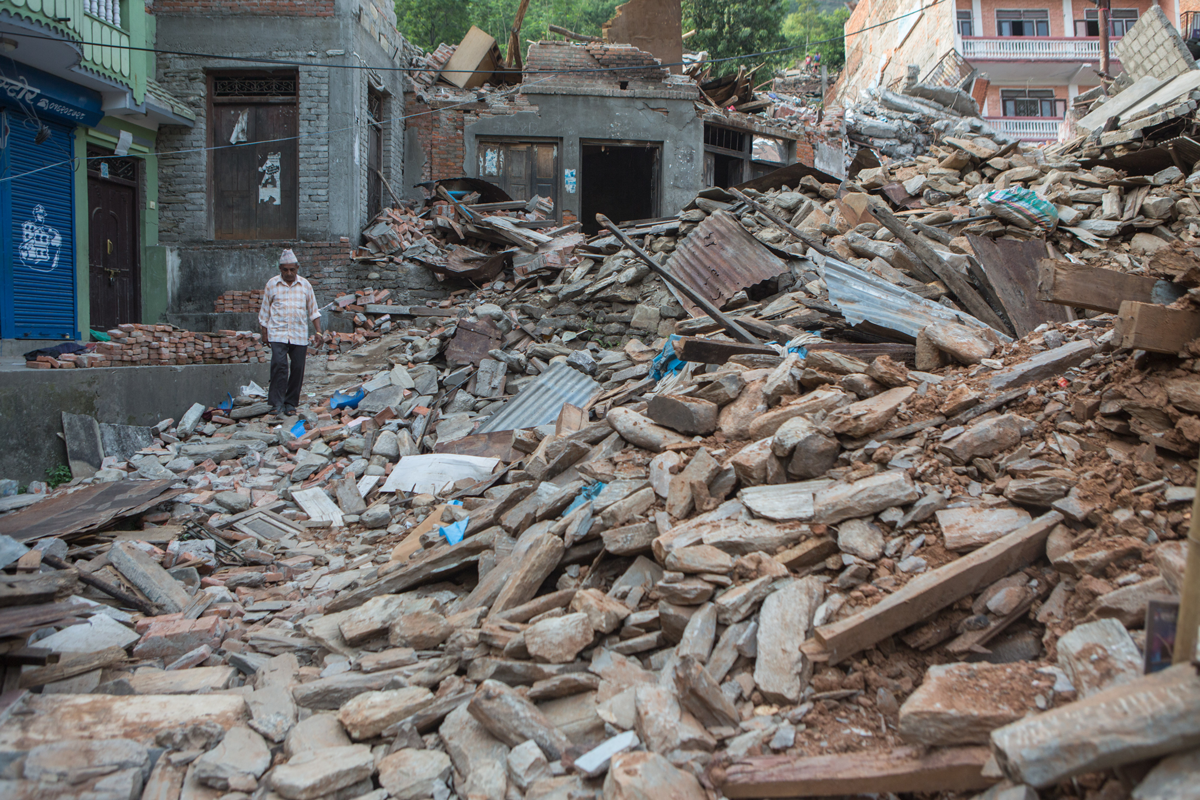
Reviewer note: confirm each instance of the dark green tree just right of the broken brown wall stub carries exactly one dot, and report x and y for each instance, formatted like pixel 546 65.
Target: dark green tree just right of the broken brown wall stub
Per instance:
pixel 734 28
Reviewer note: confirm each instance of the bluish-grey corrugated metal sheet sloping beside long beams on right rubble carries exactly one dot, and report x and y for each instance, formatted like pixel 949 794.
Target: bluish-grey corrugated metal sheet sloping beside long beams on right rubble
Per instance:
pixel 863 297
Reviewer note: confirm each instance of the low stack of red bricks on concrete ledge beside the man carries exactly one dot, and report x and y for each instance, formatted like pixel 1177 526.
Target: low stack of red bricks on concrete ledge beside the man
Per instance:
pixel 161 346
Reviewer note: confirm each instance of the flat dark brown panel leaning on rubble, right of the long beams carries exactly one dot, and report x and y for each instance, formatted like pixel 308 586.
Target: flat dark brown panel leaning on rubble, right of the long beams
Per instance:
pixel 1012 269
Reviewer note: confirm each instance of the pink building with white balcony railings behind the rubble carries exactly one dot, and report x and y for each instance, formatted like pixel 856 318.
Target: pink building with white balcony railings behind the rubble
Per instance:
pixel 1033 57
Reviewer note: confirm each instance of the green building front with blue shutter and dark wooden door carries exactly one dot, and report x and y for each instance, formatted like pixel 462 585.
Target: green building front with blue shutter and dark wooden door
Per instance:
pixel 81 116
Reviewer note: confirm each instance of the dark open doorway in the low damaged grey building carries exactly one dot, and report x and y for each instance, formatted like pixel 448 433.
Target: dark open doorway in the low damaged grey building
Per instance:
pixel 620 181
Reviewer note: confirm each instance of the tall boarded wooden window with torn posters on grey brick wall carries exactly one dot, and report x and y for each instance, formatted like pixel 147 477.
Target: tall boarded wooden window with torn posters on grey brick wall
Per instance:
pixel 254 167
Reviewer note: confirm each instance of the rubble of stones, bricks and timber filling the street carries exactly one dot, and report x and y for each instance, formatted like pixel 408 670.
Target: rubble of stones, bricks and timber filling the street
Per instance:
pixel 820 488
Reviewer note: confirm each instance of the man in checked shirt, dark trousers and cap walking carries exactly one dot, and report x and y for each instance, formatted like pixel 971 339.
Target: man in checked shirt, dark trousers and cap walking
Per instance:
pixel 289 304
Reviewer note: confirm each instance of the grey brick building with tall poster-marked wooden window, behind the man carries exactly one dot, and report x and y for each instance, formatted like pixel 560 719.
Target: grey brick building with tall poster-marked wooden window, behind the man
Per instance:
pixel 301 151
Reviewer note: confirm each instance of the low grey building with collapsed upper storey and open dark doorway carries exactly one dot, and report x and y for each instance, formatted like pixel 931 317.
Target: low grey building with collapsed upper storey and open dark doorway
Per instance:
pixel 597 128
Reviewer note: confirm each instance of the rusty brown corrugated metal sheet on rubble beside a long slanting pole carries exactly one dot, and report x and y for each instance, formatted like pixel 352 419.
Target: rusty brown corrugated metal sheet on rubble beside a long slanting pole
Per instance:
pixel 721 258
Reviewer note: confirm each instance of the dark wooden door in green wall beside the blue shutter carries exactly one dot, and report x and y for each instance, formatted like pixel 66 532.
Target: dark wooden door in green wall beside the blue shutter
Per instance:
pixel 113 273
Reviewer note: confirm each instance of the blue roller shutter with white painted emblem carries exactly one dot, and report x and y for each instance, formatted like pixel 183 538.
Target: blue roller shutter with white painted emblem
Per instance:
pixel 43 243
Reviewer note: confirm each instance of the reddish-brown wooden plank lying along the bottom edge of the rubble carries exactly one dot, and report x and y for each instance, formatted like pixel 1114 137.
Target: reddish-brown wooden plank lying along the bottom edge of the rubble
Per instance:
pixel 902 771
